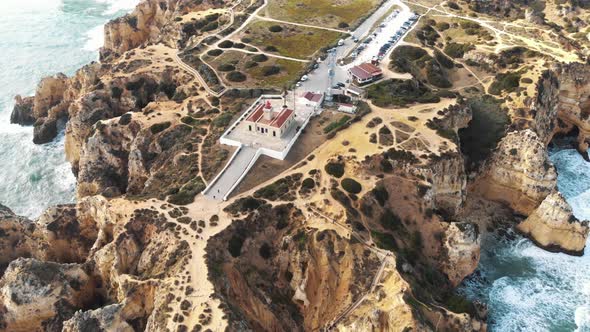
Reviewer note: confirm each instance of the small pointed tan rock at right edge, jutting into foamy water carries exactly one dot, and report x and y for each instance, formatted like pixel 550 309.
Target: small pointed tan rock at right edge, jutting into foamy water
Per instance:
pixel 553 226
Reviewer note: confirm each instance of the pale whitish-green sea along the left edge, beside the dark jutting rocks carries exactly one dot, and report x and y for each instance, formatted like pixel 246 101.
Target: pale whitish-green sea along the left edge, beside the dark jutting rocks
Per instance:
pixel 40 38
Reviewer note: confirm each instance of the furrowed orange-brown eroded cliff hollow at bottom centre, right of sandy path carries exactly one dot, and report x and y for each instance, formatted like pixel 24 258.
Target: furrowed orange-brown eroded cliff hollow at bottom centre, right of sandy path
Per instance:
pixel 310 276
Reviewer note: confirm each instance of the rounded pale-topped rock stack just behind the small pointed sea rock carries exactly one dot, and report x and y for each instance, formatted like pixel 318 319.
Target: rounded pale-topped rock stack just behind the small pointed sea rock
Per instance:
pixel 518 173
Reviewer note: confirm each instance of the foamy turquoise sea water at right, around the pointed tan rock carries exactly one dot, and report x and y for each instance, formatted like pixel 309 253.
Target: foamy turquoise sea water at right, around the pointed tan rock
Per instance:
pixel 530 289
